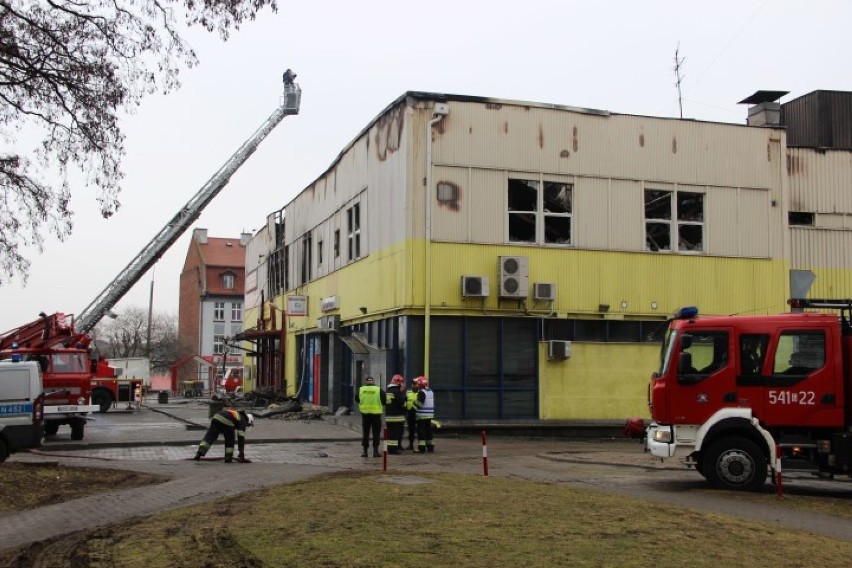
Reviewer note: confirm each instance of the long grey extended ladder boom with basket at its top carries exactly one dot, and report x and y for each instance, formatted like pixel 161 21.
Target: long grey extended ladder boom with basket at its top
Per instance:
pixel 185 217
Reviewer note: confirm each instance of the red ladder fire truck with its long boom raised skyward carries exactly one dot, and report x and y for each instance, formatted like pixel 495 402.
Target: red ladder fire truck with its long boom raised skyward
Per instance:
pixel 76 380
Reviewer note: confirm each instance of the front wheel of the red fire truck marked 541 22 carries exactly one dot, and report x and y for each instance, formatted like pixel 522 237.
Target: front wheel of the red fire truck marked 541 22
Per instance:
pixel 735 463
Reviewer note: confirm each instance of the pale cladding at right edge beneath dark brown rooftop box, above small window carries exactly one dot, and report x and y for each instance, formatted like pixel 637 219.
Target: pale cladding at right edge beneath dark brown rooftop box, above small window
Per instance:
pixel 820 180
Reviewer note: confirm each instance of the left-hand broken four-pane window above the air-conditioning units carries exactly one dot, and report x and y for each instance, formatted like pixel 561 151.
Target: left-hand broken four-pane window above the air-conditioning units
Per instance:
pixel 528 209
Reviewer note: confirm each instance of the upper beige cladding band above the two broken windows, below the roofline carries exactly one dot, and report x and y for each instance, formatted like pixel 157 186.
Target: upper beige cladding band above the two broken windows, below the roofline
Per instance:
pixel 523 138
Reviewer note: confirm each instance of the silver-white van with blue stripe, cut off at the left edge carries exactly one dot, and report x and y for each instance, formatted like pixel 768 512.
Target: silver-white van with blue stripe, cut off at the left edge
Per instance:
pixel 21 407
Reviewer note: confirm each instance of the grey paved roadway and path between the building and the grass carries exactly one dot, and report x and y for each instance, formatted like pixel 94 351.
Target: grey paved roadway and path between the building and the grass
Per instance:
pixel 160 439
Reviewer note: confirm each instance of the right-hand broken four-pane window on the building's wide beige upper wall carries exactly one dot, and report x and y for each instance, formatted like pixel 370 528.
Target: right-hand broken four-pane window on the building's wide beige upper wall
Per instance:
pixel 687 208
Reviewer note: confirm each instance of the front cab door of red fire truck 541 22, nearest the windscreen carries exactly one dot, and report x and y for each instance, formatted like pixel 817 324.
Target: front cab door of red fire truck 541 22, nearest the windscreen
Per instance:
pixel 706 376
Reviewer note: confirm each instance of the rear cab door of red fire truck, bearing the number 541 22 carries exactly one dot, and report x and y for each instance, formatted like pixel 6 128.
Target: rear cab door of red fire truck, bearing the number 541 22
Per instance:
pixel 802 387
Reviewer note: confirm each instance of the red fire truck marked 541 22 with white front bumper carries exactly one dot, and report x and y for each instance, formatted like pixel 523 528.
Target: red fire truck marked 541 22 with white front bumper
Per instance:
pixel 741 397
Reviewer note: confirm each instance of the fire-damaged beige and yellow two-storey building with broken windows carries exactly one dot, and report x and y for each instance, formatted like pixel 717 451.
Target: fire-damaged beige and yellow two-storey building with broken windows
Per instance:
pixel 525 256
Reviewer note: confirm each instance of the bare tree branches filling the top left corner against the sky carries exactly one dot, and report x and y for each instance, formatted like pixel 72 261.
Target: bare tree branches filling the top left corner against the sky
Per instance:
pixel 68 68
